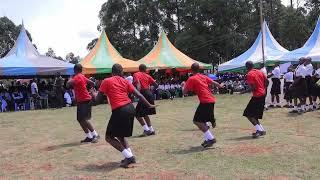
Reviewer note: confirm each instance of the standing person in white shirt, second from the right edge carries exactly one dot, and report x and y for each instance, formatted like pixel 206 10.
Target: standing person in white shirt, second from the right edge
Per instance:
pixel 309 73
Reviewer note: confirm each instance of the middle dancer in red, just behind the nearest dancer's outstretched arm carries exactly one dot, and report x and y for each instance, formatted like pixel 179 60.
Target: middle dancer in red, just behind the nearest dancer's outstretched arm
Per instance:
pixel 143 81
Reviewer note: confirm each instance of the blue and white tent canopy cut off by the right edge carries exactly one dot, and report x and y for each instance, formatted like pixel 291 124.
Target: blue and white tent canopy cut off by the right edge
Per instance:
pixel 310 49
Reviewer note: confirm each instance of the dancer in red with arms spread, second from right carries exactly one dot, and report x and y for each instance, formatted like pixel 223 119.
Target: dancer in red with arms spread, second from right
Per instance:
pixel 201 86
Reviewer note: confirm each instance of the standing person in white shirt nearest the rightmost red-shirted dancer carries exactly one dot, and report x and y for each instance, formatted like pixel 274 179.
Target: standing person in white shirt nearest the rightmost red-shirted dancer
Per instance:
pixel 276 85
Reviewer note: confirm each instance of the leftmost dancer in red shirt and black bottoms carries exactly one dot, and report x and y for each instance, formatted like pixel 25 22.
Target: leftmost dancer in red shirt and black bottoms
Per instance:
pixel 83 98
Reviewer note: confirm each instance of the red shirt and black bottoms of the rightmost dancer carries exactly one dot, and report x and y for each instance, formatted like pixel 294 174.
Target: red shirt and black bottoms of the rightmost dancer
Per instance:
pixel 255 106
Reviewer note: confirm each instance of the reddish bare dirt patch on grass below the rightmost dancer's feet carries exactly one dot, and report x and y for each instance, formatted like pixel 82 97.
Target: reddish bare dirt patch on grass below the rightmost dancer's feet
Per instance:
pixel 248 149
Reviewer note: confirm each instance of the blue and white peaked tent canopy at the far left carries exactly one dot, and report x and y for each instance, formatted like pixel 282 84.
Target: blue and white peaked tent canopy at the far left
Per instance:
pixel 24 60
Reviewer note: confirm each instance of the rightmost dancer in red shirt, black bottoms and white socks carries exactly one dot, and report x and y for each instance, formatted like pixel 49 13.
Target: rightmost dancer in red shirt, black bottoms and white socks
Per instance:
pixel 254 110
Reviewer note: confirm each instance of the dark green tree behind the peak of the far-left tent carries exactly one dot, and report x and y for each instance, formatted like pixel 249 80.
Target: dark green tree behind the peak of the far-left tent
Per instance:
pixel 8 34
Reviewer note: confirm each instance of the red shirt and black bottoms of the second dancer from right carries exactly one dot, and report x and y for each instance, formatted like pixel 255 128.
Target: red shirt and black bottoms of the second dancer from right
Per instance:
pixel 199 84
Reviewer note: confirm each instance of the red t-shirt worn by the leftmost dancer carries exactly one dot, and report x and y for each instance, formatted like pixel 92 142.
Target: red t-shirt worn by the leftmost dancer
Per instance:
pixel 80 88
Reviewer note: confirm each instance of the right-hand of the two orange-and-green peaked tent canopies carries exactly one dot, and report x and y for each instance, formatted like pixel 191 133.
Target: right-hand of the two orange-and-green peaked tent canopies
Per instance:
pixel 165 56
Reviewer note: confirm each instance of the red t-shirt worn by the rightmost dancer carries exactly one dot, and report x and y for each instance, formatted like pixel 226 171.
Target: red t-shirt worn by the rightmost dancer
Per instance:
pixel 257 78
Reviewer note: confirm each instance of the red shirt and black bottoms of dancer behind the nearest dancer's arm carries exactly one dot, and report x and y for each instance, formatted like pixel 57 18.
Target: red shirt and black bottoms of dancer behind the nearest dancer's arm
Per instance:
pixel 145 81
